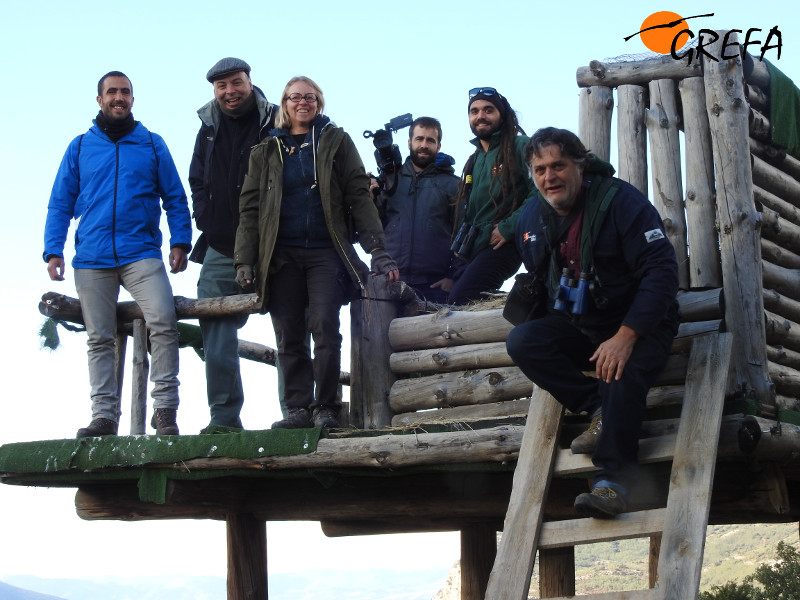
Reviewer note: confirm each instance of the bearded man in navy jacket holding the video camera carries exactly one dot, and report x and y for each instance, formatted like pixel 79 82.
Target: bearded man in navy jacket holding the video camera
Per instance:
pixel 418 216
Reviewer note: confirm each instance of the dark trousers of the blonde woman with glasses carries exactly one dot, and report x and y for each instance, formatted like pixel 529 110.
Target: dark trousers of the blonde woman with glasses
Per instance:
pixel 315 278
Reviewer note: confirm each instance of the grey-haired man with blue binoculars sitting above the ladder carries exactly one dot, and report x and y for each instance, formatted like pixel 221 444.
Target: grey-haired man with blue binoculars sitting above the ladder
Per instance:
pixel 621 323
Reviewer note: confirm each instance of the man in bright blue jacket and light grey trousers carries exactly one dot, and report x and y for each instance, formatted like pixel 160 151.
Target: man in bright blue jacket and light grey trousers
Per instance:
pixel 111 180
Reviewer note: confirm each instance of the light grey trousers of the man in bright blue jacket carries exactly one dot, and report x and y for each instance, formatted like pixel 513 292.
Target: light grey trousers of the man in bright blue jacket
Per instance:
pixel 98 290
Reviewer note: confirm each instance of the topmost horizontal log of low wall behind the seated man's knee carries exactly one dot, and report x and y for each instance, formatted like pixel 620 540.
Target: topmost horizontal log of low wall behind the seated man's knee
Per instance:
pixel 448 328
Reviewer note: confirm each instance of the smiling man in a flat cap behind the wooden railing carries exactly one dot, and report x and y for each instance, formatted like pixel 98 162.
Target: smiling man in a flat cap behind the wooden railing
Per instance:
pixel 236 119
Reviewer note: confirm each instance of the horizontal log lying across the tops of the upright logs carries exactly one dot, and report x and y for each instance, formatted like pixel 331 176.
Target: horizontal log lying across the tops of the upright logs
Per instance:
pixel 639 72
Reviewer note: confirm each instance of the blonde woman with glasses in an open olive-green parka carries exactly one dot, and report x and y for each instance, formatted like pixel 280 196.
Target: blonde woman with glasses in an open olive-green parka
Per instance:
pixel 303 185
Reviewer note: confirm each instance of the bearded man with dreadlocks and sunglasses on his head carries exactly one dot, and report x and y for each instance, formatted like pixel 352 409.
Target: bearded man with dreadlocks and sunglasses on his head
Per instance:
pixel 494 186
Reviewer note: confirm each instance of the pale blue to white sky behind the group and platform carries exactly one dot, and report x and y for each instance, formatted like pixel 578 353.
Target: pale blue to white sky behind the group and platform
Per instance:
pixel 373 61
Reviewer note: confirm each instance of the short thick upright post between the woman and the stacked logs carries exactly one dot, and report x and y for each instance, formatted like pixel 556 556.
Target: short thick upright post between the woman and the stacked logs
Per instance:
pixel 370 376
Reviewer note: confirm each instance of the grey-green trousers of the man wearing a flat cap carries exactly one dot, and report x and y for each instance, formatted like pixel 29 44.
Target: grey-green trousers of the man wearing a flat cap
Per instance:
pixel 221 342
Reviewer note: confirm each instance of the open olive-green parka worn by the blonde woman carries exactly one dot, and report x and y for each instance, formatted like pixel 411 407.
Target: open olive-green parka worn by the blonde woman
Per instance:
pixel 344 189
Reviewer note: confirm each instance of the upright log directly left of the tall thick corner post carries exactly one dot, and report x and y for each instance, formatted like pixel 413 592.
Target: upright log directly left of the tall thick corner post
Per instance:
pixel 705 270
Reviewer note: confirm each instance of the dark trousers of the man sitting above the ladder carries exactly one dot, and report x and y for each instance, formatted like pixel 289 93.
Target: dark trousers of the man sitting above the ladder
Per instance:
pixel 552 352
